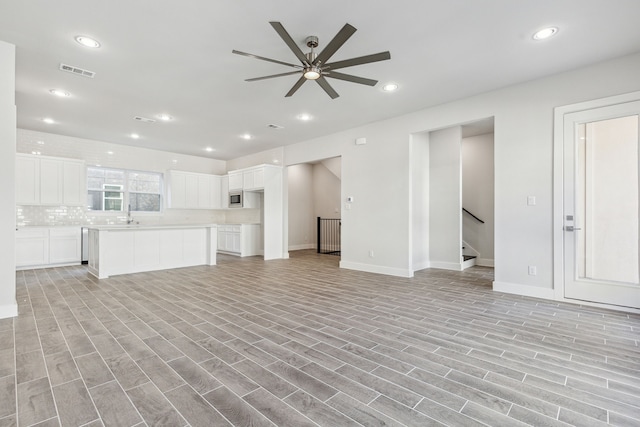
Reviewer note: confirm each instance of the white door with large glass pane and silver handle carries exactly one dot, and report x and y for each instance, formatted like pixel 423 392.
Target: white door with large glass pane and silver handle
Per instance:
pixel 601 190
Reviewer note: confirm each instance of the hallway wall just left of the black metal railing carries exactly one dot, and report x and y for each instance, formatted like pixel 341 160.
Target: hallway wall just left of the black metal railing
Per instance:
pixel 302 234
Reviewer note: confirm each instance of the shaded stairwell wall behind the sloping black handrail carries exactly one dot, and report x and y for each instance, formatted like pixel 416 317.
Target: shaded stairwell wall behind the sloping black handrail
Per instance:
pixel 477 195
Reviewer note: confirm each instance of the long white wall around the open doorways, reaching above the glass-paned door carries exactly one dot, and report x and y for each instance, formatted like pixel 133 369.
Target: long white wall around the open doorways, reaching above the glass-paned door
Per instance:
pixel 377 174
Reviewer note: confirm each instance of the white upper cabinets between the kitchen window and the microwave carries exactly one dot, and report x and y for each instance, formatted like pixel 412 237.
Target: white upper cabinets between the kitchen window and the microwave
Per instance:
pixel 188 190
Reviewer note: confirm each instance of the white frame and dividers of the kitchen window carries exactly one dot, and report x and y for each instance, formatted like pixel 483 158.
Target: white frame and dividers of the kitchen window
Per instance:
pixel 126 193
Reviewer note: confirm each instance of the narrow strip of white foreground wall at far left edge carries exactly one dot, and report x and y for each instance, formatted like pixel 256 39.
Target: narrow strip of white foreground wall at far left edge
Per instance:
pixel 8 305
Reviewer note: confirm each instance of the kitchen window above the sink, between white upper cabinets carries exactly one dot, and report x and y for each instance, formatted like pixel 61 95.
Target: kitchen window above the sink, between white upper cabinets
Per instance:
pixel 117 190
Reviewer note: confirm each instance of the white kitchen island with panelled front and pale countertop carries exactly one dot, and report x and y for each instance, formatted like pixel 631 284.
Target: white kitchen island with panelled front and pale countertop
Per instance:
pixel 124 249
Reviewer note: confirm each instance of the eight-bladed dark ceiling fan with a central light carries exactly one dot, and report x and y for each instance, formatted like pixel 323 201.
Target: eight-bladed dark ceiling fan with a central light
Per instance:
pixel 315 66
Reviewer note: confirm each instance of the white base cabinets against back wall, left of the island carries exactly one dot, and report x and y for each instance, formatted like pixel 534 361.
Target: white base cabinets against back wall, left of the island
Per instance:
pixel 43 246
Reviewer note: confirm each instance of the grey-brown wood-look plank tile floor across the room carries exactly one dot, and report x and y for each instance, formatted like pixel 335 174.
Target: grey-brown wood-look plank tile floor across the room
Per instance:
pixel 301 342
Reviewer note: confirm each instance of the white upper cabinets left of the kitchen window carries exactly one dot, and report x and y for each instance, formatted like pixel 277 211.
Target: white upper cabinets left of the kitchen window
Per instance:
pixel 49 181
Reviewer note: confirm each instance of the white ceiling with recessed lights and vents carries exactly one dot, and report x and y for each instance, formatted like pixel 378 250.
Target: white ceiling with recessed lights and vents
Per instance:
pixel 175 57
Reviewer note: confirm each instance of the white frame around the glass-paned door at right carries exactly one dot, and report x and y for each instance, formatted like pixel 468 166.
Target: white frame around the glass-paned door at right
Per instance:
pixel 558 190
